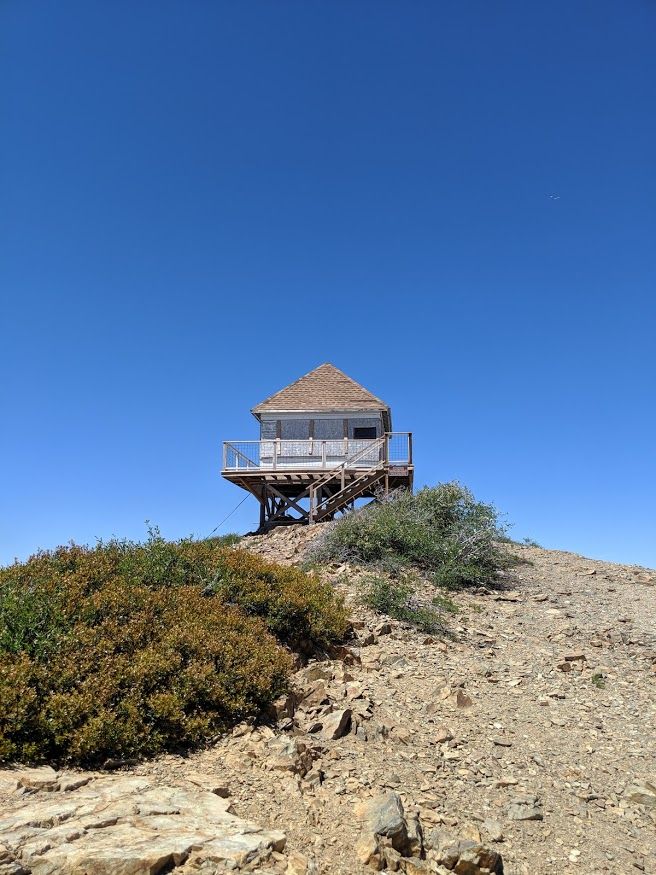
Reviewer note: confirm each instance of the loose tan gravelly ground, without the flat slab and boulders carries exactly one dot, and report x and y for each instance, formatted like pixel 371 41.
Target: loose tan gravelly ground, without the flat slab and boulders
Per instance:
pixel 547 692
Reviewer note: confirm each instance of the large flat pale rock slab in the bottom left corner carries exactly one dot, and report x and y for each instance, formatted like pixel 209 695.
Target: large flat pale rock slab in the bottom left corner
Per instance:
pixel 126 825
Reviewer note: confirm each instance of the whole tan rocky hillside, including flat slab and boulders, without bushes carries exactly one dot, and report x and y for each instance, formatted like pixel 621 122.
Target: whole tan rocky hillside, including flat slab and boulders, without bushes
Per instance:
pixel 522 741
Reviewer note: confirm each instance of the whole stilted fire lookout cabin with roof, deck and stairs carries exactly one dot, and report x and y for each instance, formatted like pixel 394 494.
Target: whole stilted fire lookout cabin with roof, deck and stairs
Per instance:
pixel 325 441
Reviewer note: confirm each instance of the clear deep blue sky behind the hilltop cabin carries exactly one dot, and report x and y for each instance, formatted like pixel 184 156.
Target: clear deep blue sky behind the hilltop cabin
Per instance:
pixel 201 201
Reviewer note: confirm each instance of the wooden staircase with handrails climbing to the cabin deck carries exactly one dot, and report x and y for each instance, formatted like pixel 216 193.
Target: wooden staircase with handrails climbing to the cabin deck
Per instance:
pixel 322 508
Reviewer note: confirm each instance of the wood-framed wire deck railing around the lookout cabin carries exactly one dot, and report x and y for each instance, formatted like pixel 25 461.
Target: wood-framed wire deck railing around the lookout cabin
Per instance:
pixel 301 455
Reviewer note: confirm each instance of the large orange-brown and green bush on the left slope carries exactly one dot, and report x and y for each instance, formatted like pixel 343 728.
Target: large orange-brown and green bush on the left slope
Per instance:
pixel 129 649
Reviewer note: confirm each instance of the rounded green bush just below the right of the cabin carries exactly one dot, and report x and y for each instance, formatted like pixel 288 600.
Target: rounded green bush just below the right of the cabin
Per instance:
pixel 442 529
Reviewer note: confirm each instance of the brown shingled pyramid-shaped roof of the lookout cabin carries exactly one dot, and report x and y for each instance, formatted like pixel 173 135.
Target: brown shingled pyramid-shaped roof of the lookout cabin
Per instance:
pixel 325 388
